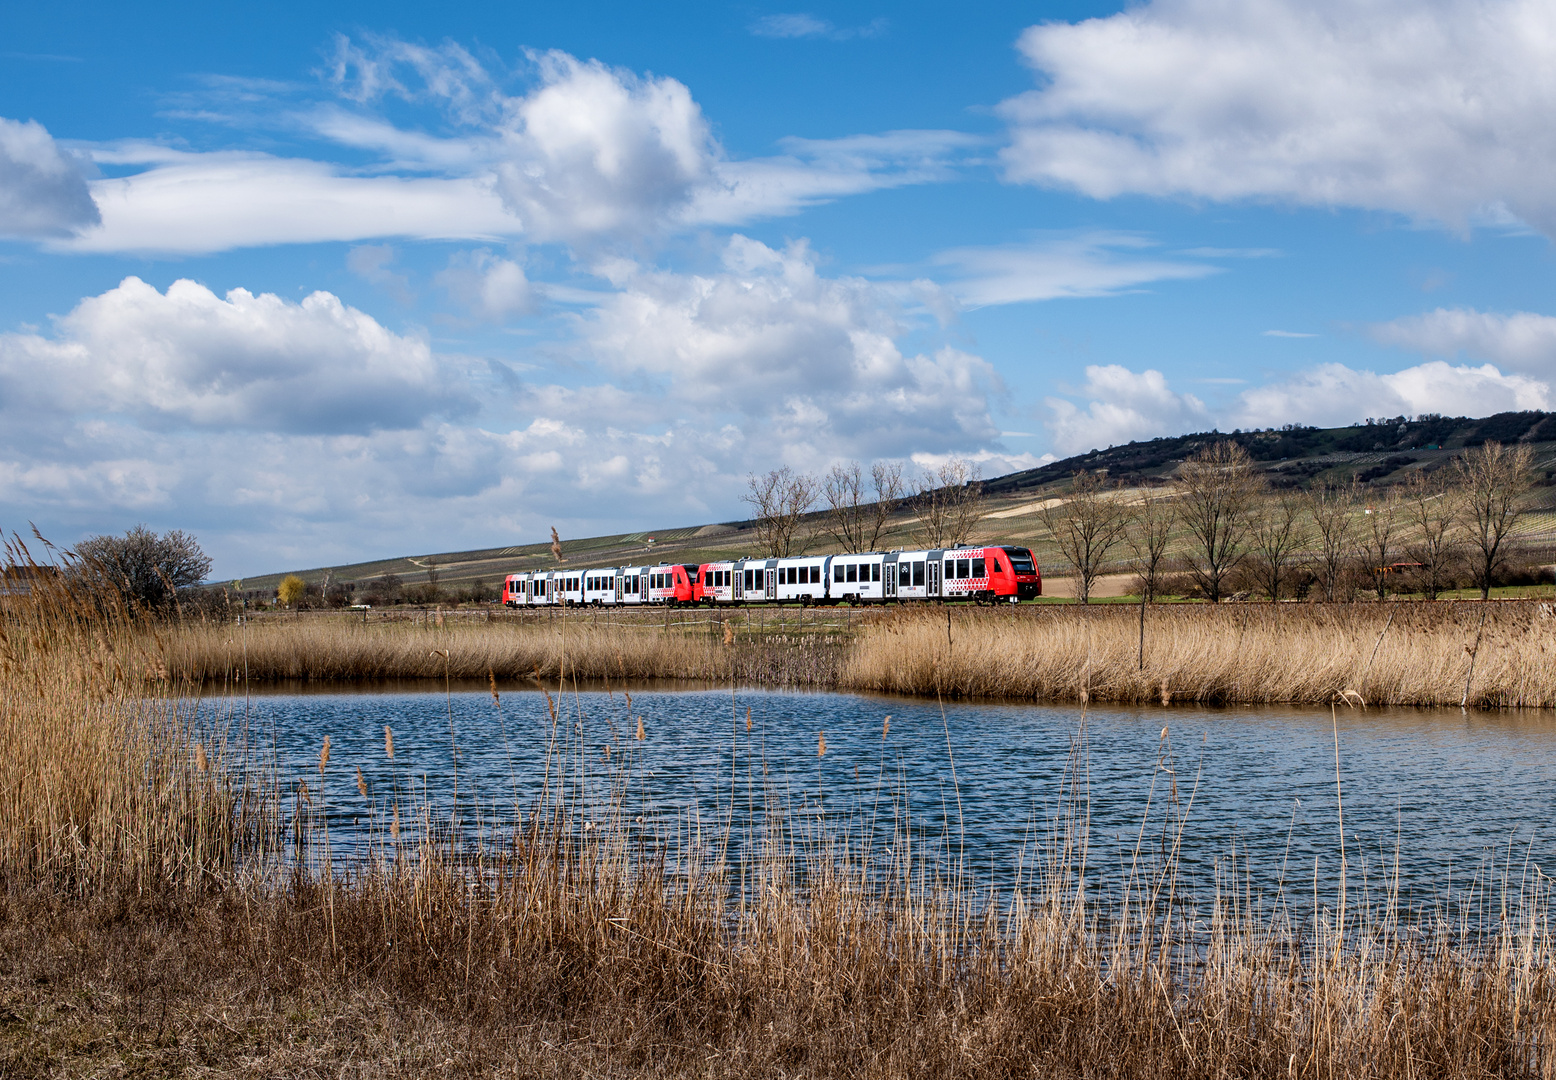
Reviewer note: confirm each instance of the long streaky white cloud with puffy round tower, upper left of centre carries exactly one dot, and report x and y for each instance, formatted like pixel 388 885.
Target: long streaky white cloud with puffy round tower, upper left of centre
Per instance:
pixel 589 155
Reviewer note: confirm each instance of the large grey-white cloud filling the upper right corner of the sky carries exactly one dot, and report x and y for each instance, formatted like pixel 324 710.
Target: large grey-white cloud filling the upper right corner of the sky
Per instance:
pixel 1437 110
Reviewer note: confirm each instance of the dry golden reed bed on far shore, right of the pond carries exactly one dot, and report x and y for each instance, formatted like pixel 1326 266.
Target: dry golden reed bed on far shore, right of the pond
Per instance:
pixel 1389 654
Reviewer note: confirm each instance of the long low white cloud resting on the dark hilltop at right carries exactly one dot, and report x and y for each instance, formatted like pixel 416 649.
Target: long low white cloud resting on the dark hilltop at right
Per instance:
pixel 1334 394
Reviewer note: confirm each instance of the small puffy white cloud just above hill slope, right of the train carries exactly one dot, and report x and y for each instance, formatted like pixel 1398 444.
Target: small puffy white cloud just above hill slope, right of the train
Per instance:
pixel 1121 407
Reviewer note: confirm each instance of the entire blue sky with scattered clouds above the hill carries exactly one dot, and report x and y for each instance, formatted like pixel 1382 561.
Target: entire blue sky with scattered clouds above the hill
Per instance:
pixel 324 284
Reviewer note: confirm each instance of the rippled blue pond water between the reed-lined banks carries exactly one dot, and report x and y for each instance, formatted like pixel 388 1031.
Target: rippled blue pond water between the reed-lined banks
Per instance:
pixel 1451 794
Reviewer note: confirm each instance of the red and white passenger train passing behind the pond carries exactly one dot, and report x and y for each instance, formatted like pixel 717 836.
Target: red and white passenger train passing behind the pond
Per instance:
pixel 987 575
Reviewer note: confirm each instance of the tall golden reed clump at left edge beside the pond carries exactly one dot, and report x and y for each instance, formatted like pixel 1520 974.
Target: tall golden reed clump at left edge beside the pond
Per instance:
pixel 100 782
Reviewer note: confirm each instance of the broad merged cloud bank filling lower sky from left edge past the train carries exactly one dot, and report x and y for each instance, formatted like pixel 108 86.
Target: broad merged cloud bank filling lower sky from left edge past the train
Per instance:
pixel 293 435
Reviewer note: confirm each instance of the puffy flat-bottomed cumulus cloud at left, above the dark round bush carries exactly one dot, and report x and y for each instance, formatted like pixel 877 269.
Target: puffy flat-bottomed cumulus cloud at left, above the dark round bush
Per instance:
pixel 187 359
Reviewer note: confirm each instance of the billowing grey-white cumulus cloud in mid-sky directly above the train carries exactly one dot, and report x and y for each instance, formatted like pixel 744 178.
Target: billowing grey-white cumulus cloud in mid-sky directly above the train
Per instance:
pixel 810 363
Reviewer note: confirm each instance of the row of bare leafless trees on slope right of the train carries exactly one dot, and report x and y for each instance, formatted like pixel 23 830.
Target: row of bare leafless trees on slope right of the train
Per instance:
pixel 1431 533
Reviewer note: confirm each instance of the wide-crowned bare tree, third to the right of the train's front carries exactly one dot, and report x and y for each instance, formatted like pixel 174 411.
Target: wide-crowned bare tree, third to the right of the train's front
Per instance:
pixel 1218 491
